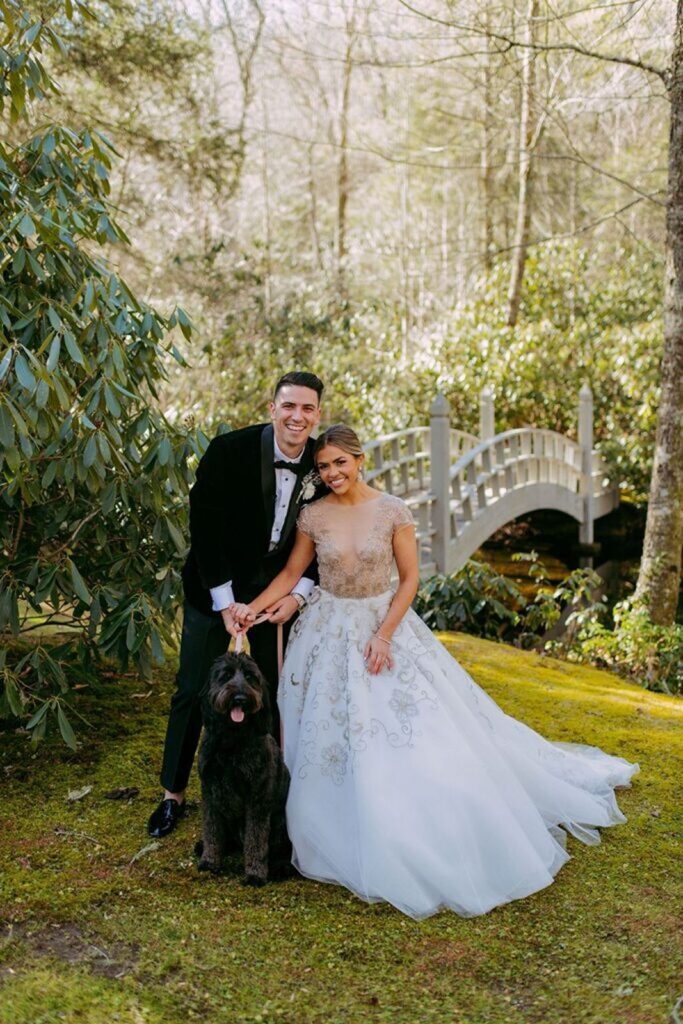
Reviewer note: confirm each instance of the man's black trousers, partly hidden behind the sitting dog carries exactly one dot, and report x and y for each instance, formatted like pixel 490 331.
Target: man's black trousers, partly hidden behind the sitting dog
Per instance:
pixel 204 639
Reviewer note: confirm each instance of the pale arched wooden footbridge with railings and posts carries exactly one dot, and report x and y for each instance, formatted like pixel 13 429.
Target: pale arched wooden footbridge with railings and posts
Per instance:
pixel 462 489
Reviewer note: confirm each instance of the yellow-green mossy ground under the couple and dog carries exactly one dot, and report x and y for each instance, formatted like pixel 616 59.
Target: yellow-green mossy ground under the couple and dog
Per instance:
pixel 91 934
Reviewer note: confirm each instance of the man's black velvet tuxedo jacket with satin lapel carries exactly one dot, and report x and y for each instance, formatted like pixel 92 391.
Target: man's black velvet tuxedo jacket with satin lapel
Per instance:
pixel 232 509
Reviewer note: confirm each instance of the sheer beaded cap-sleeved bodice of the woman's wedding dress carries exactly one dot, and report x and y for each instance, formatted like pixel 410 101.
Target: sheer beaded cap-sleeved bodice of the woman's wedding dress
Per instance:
pixel 354 542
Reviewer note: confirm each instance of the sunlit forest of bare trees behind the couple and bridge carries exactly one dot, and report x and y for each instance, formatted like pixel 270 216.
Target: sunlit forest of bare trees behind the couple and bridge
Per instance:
pixel 337 186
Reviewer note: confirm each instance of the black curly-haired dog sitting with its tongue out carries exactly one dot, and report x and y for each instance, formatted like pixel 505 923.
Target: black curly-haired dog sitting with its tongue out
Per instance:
pixel 244 779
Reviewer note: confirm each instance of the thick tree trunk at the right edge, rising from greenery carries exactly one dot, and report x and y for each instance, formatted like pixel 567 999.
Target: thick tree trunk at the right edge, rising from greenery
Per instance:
pixel 660 578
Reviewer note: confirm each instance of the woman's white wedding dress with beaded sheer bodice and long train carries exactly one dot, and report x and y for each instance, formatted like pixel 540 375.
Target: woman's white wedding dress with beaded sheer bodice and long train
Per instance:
pixel 412 786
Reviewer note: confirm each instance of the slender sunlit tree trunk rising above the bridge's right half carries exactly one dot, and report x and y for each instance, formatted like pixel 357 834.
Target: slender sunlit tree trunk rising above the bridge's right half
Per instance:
pixel 521 240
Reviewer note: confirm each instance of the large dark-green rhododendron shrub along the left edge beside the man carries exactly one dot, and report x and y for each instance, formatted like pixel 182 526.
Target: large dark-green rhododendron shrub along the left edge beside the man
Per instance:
pixel 93 478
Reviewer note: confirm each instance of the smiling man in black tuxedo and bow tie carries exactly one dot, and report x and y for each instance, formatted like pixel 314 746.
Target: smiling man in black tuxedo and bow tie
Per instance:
pixel 243 510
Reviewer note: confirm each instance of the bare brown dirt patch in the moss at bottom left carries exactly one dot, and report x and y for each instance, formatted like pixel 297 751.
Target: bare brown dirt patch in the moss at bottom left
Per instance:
pixel 68 944
